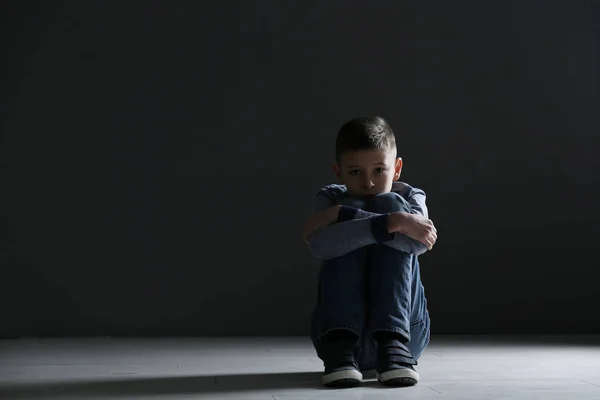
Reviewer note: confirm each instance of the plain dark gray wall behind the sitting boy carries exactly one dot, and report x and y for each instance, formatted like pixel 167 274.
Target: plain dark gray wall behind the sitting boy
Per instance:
pixel 159 158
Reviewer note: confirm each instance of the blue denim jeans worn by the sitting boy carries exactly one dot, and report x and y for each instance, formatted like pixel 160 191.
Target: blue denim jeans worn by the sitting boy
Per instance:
pixel 374 288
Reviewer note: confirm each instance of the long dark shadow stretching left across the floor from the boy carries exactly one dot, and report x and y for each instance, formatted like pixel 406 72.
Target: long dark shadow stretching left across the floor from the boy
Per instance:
pixel 185 385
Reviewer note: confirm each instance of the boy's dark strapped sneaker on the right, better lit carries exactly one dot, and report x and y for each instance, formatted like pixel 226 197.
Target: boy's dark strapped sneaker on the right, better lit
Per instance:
pixel 395 364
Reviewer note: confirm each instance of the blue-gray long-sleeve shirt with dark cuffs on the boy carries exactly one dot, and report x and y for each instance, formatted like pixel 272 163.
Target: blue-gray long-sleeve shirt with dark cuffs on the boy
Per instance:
pixel 358 228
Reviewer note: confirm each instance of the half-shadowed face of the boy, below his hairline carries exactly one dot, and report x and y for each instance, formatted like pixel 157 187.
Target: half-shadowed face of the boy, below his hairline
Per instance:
pixel 368 172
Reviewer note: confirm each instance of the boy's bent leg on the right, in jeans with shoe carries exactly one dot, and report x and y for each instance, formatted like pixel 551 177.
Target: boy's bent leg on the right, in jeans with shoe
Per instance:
pixel 398 316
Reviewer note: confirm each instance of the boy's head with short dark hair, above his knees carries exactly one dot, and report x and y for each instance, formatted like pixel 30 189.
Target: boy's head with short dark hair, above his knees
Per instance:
pixel 366 160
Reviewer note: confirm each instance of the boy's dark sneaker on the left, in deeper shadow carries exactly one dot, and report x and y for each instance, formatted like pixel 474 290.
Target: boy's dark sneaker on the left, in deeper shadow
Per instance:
pixel 341 369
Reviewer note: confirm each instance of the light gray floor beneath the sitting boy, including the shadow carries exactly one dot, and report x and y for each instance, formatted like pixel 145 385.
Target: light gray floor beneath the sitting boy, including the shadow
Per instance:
pixel 288 369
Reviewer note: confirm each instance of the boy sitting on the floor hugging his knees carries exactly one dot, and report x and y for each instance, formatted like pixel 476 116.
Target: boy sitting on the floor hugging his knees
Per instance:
pixel 371 311
